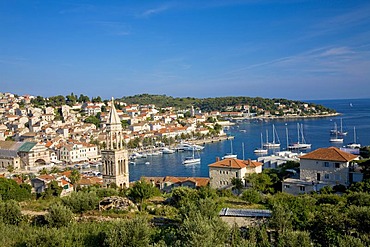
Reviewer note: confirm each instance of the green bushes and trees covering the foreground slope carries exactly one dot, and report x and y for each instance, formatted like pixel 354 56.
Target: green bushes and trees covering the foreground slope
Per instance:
pixel 189 217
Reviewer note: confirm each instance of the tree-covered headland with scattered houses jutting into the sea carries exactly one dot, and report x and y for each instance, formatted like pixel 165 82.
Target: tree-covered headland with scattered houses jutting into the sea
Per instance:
pixel 250 107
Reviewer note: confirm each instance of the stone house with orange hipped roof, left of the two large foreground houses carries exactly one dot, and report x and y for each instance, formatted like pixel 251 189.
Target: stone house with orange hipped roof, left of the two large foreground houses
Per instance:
pixel 222 171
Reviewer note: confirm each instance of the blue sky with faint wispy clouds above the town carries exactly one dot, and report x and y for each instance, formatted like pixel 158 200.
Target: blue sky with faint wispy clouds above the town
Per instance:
pixel 274 49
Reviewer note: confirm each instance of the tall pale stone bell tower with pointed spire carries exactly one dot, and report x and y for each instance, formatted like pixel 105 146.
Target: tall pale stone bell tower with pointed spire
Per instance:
pixel 115 156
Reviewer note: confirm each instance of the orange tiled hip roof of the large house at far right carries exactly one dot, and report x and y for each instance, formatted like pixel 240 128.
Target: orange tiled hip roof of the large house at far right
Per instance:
pixel 330 154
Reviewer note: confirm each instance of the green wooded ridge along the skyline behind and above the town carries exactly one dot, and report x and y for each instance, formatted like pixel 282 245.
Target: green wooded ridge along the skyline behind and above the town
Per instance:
pixel 258 105
